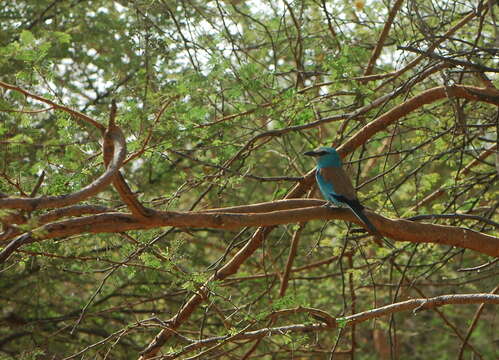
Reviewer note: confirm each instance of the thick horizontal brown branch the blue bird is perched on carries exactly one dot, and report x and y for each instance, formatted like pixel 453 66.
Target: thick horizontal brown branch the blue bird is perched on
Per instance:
pixel 395 229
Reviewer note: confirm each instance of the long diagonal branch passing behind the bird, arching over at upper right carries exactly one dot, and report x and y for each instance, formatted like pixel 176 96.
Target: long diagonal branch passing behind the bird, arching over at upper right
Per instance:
pixel 301 188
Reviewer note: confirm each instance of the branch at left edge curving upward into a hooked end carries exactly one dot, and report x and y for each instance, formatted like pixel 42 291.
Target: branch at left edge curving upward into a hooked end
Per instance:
pixel 94 188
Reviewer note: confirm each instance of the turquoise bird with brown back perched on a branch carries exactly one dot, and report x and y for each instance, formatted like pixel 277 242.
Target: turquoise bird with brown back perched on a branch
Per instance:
pixel 336 187
